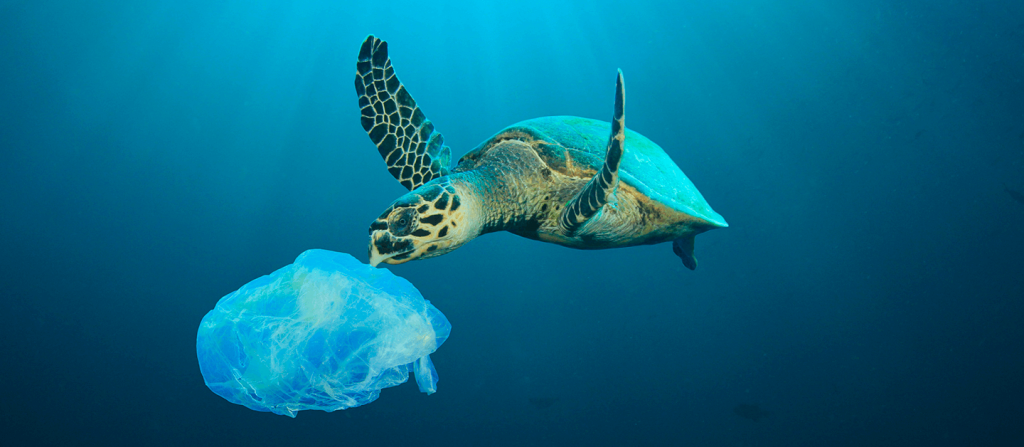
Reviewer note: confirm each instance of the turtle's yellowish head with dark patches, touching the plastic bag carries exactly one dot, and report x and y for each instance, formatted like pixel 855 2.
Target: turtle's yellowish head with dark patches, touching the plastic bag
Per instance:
pixel 430 221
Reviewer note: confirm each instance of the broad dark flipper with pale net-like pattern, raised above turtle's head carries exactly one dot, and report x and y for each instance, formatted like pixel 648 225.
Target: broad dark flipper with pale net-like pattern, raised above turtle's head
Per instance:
pixel 414 152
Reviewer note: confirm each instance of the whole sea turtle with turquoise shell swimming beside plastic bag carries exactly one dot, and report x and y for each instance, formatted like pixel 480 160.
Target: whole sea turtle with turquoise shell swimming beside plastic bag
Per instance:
pixel 573 182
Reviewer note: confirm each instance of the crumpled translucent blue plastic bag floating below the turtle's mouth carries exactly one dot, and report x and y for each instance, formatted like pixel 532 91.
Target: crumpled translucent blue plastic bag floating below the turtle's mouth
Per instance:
pixel 327 333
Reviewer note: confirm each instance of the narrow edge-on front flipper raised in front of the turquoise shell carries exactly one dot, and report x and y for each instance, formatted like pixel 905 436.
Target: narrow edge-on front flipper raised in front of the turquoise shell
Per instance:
pixel 599 192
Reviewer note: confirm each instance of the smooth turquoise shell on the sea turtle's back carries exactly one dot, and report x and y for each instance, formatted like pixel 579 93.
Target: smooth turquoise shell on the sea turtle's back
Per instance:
pixel 567 143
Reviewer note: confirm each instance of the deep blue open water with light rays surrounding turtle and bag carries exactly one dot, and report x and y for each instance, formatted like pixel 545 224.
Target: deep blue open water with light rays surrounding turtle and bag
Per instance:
pixel 868 155
